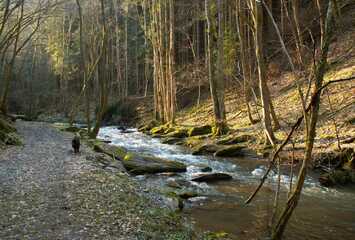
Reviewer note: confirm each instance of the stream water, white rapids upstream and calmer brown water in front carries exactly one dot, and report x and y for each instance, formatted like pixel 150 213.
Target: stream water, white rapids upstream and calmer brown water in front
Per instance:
pixel 322 213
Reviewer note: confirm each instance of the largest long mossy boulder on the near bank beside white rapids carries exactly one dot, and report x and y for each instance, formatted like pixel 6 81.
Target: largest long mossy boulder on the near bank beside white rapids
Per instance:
pixel 144 164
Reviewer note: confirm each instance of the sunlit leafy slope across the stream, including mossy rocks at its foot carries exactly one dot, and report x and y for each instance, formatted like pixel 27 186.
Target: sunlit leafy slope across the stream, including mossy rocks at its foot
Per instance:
pixel 336 125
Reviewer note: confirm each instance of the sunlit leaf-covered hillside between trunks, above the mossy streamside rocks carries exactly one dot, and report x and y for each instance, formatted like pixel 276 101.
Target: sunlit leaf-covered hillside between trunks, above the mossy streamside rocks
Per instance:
pixel 337 112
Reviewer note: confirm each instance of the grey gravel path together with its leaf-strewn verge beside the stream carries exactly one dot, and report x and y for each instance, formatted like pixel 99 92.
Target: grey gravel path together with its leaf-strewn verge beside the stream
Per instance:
pixel 47 192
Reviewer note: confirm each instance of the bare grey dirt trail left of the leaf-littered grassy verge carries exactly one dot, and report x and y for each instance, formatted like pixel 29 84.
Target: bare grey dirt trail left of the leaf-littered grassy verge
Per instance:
pixel 33 184
